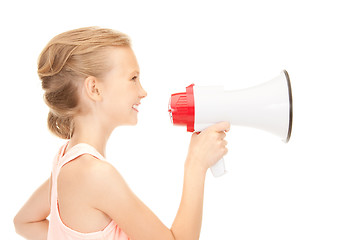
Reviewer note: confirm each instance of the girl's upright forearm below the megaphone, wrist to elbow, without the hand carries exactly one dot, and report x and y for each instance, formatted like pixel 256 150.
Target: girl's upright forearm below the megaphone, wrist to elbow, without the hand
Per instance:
pixel 187 223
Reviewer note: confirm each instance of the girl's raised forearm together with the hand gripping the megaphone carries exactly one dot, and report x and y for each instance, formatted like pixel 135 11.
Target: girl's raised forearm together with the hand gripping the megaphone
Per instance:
pixel 211 148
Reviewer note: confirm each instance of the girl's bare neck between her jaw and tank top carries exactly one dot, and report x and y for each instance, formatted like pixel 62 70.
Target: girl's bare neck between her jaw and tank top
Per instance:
pixel 88 129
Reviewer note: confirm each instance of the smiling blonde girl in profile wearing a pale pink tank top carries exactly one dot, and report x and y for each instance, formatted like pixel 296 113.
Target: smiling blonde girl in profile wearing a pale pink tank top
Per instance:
pixel 91 81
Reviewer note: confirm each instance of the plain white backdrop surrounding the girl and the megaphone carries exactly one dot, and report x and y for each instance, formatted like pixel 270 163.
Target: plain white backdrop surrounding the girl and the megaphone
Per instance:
pixel 306 189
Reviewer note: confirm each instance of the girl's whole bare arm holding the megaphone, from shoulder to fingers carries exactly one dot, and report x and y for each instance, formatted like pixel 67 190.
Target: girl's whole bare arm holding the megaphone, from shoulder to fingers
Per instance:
pixel 113 196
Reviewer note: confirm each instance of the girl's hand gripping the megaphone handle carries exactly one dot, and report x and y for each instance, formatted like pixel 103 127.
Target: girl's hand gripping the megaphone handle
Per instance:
pixel 208 146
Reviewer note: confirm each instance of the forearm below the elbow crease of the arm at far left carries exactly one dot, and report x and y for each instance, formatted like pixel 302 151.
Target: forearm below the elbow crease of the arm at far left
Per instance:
pixel 33 230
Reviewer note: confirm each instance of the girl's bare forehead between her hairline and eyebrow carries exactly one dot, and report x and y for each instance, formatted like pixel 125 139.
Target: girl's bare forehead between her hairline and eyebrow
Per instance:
pixel 123 60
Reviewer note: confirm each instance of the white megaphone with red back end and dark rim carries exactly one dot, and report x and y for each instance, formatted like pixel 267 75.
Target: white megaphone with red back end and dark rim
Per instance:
pixel 267 106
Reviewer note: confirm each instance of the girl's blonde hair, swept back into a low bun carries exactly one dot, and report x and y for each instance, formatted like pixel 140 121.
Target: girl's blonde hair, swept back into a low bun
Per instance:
pixel 66 59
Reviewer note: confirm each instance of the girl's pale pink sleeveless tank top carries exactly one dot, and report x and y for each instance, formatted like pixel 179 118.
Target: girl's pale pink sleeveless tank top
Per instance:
pixel 57 229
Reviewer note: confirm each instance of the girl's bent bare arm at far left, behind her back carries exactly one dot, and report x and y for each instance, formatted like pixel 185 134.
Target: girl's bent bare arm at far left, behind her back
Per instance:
pixel 30 222
